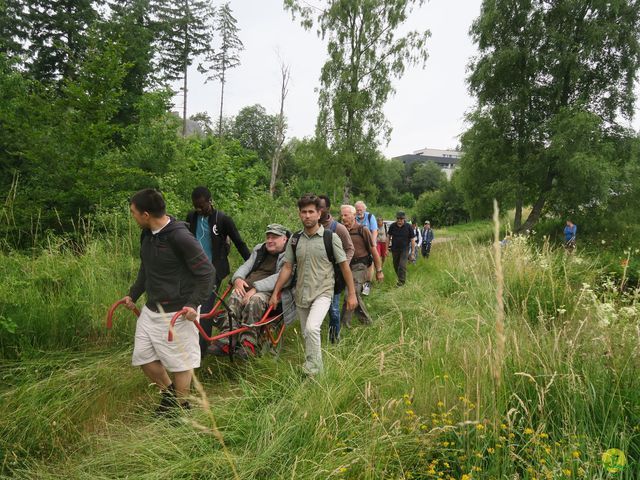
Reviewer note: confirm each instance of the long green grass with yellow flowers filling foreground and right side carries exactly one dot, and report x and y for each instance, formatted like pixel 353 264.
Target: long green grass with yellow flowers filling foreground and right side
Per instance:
pixel 413 396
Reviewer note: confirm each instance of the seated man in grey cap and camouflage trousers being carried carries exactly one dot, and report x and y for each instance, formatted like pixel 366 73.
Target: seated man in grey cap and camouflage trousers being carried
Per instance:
pixel 253 284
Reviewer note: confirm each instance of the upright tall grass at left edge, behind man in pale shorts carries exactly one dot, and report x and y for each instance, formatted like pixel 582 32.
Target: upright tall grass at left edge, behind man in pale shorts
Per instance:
pixel 56 296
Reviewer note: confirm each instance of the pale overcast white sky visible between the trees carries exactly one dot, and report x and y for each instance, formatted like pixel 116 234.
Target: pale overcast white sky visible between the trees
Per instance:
pixel 429 105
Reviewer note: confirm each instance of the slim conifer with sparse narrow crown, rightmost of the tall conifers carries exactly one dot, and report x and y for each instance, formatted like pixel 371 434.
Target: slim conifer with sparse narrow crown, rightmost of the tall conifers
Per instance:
pixel 228 55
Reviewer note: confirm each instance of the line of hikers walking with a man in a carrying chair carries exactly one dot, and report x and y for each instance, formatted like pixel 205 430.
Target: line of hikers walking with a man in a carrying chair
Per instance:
pixel 304 273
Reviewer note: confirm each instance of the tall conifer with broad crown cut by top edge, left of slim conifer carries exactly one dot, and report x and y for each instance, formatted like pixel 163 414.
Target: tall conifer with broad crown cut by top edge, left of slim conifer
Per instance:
pixel 185 33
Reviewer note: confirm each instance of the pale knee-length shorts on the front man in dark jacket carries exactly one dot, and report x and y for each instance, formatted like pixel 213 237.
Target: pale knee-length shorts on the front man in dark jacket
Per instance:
pixel 151 343
